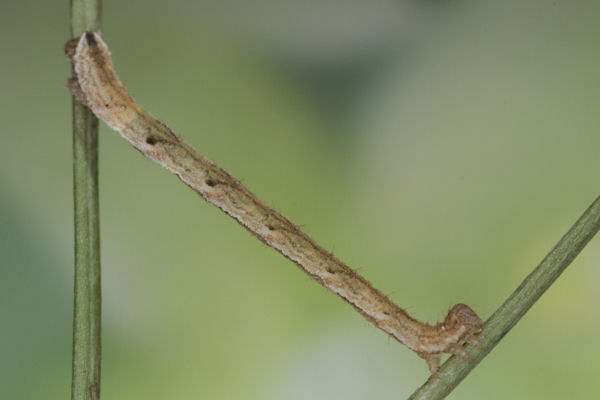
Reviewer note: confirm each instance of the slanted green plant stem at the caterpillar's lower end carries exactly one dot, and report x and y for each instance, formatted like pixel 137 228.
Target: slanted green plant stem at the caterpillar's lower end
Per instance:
pixel 518 303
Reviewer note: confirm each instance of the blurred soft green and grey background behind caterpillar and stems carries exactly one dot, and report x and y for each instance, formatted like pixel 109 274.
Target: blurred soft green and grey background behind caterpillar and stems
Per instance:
pixel 441 148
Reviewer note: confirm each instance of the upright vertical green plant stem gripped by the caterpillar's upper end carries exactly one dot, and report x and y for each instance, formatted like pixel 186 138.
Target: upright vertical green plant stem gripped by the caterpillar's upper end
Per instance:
pixel 85 385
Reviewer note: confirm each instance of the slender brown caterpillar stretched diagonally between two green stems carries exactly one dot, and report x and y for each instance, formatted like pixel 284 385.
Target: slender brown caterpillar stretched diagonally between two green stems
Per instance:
pixel 98 86
